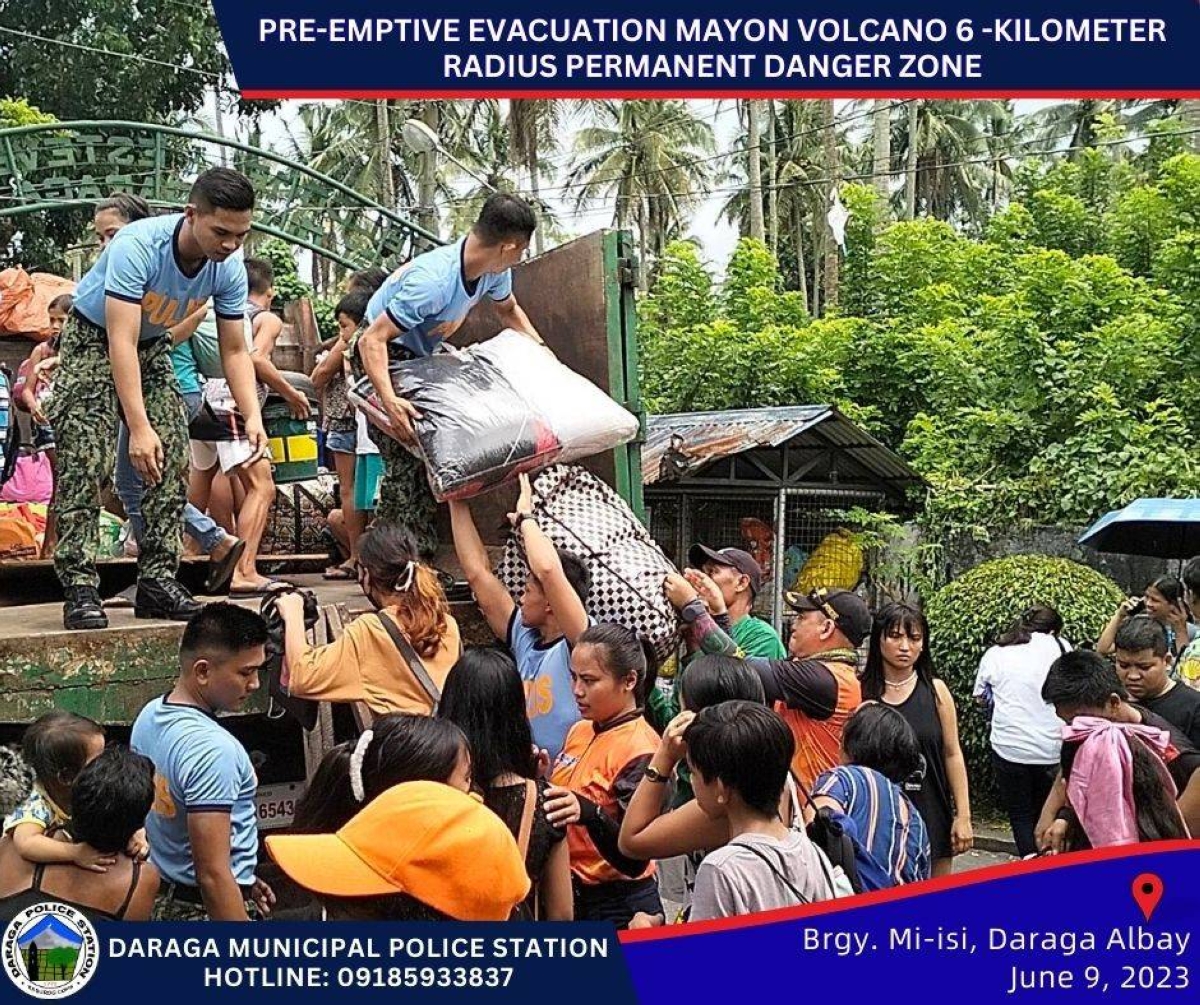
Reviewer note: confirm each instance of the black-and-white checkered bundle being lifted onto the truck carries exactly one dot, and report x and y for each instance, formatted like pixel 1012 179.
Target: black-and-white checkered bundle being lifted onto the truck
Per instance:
pixel 581 514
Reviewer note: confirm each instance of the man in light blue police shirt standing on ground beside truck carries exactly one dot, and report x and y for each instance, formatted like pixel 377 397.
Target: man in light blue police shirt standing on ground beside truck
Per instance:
pixel 203 828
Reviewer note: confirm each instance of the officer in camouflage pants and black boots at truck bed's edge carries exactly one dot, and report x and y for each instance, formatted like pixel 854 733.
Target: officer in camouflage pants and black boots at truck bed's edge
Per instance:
pixel 116 359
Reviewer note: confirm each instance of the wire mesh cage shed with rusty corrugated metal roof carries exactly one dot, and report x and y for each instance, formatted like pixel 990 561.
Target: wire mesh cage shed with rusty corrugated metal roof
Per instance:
pixel 793 486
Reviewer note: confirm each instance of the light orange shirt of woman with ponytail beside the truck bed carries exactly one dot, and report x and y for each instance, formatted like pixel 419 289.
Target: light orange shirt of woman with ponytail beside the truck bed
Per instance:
pixel 365 666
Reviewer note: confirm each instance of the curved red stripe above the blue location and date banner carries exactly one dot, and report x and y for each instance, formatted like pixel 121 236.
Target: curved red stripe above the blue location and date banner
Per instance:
pixel 928 887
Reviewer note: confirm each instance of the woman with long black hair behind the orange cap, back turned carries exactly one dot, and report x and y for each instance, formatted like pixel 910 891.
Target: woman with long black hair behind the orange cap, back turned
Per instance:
pixel 484 696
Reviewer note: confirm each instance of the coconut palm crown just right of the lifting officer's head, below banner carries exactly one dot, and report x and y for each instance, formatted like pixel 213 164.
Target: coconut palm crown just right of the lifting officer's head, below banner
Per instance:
pixel 651 159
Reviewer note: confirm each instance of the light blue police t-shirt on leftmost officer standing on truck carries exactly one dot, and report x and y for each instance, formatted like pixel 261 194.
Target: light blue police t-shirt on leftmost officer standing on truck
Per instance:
pixel 141 266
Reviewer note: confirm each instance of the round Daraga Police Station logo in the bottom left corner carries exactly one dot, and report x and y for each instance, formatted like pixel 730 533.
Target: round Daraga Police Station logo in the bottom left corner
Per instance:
pixel 50 950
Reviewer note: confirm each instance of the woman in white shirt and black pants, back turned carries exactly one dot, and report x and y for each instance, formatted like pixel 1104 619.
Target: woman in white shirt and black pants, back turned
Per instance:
pixel 1027 736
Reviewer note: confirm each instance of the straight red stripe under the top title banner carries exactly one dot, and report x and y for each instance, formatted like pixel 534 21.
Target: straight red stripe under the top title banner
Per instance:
pixel 275 94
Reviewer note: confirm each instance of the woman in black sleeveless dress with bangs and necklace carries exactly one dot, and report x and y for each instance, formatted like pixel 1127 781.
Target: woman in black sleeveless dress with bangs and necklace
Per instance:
pixel 901 673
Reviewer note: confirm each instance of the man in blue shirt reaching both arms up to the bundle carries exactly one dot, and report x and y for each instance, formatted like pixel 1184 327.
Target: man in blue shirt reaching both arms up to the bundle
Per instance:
pixel 545 628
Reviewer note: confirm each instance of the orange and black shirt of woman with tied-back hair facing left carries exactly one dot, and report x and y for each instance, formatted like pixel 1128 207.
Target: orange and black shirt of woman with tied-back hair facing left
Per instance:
pixel 591 765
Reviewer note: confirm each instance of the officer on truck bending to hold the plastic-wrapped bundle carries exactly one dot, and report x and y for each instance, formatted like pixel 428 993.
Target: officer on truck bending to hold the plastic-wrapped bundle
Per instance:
pixel 418 308
